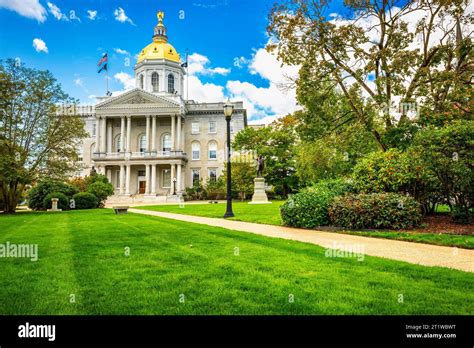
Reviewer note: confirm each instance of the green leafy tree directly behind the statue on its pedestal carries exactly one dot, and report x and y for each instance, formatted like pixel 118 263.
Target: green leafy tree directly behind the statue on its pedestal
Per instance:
pixel 276 142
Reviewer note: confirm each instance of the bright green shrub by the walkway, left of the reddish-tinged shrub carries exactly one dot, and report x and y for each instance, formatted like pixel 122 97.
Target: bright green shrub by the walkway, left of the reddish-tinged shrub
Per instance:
pixel 309 208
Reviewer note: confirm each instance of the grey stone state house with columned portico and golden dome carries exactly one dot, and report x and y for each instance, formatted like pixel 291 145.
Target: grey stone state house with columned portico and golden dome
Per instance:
pixel 149 141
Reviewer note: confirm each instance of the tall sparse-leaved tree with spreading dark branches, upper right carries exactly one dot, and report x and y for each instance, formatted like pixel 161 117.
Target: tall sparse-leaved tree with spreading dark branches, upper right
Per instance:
pixel 374 58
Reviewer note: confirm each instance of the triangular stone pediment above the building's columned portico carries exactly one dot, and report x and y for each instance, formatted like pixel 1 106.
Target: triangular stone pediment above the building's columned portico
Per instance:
pixel 137 98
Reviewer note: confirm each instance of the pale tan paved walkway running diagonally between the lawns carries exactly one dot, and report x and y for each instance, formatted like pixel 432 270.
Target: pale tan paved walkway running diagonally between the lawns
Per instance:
pixel 422 254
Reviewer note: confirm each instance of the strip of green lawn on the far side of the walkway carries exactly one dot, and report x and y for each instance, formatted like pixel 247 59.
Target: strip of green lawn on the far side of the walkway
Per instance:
pixel 270 214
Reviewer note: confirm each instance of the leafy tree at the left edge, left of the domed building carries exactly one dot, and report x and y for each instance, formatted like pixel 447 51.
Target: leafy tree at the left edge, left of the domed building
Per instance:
pixel 35 141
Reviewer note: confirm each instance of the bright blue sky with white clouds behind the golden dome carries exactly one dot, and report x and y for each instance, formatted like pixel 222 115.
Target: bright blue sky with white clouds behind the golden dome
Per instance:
pixel 216 32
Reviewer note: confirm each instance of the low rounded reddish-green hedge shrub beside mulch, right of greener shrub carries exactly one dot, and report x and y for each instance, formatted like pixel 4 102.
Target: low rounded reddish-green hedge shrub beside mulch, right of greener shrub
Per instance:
pixel 375 210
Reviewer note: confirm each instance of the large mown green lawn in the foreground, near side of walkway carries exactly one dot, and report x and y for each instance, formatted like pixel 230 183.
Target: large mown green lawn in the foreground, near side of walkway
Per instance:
pixel 82 253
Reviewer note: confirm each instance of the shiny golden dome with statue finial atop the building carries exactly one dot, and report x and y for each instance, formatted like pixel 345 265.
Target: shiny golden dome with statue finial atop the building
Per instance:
pixel 159 48
